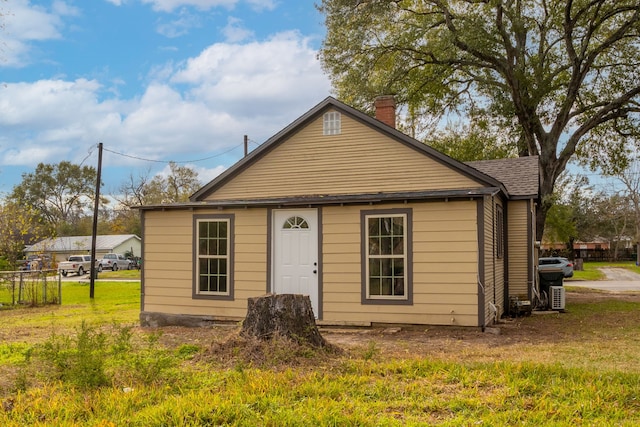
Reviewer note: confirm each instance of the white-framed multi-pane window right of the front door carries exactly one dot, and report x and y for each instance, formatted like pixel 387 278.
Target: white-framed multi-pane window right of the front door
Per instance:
pixel 386 256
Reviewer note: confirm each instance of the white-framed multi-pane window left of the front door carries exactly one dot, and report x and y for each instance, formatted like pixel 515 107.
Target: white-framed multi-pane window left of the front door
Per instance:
pixel 213 256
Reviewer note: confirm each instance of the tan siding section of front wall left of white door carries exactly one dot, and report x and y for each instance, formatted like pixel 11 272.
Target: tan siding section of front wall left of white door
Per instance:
pixel 169 265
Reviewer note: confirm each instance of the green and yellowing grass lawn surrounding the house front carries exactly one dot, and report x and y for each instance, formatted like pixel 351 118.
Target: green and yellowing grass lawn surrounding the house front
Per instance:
pixel 85 363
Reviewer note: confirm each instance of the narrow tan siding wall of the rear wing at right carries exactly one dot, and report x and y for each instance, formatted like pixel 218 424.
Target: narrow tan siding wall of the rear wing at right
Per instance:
pixel 518 248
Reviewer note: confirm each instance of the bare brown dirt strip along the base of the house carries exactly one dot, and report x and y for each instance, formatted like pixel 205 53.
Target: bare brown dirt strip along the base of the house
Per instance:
pixel 224 344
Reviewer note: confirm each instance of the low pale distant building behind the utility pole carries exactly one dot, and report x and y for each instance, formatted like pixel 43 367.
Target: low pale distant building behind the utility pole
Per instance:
pixel 59 249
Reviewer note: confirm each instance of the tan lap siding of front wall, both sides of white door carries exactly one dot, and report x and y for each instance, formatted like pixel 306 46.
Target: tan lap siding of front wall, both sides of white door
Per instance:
pixel 445 265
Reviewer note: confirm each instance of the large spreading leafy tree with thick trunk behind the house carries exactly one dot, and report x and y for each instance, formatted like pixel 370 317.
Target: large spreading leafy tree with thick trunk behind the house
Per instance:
pixel 560 77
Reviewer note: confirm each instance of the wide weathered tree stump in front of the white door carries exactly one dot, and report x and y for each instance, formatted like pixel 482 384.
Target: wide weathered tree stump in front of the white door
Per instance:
pixel 283 315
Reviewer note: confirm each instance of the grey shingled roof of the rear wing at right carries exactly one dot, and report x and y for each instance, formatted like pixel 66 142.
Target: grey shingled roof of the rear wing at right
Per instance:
pixel 519 175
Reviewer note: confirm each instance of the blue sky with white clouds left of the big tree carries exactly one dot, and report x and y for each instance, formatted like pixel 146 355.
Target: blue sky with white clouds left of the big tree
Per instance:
pixel 153 80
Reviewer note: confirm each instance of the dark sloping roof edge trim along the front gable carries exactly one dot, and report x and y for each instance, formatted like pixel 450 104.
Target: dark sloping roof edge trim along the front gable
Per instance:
pixel 313 114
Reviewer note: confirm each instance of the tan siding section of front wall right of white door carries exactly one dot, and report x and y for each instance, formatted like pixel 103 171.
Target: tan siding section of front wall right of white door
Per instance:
pixel 445 266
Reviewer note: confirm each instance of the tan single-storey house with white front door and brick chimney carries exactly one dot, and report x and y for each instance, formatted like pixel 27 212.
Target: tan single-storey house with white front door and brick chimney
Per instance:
pixel 373 225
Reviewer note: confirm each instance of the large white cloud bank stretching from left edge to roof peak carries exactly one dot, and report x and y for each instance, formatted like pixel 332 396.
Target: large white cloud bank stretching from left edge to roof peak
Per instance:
pixel 193 110
